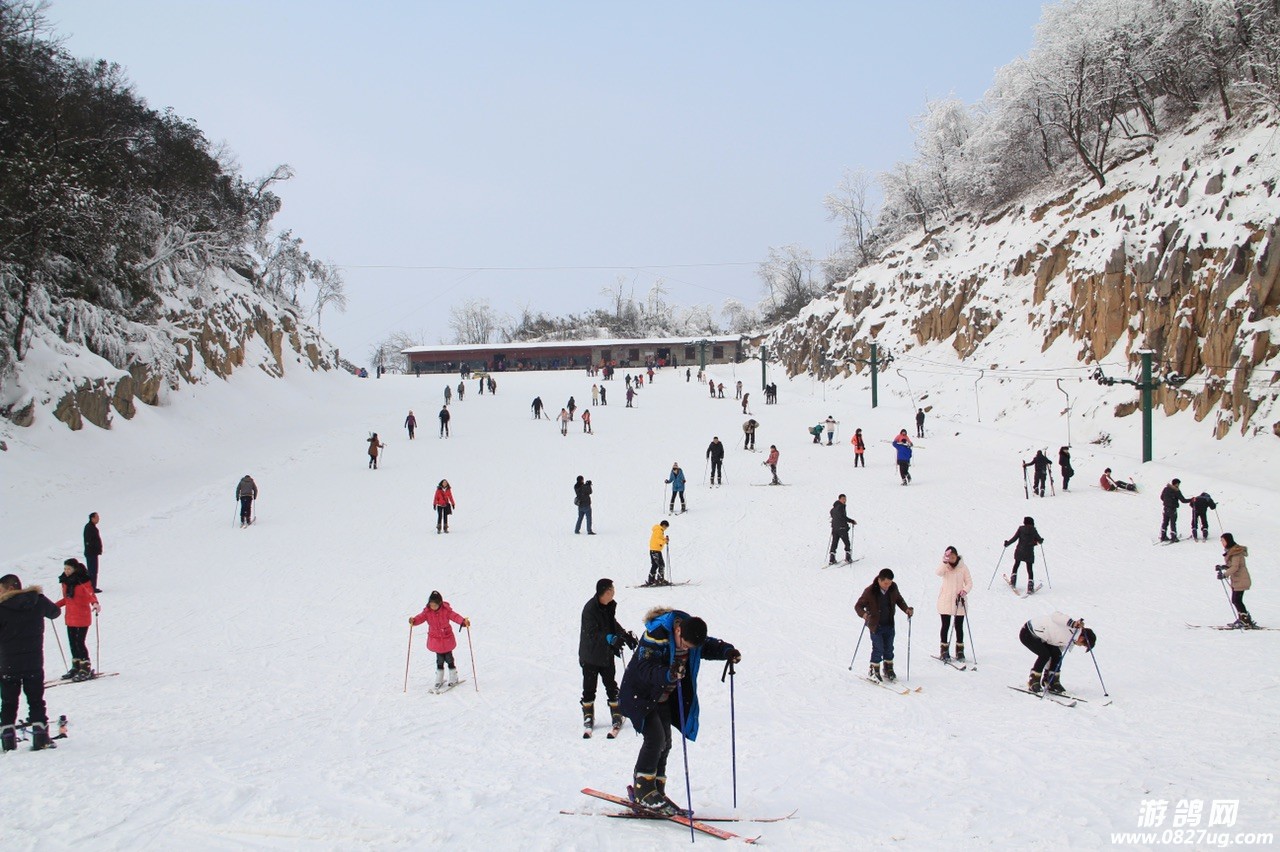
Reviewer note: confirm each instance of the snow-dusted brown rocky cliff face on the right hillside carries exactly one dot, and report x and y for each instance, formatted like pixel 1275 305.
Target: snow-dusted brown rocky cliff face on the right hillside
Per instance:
pixel 1178 254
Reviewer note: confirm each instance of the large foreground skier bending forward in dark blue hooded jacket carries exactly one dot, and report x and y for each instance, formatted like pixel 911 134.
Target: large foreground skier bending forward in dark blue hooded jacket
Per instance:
pixel 664 674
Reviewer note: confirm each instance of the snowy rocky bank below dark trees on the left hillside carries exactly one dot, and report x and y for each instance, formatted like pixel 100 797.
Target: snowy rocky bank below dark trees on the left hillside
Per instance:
pixel 86 364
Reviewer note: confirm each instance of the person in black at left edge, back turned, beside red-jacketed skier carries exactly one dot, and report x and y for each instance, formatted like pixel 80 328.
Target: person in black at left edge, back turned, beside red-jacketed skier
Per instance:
pixel 22 659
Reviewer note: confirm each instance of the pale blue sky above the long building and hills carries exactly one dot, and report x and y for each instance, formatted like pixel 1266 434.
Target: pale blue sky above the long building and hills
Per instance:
pixel 536 135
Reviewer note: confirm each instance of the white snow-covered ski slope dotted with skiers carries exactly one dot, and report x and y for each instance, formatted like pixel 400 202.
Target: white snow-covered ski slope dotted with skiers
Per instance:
pixel 260 702
